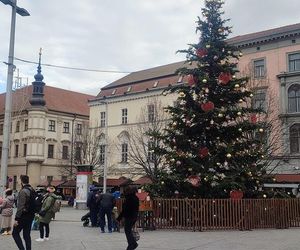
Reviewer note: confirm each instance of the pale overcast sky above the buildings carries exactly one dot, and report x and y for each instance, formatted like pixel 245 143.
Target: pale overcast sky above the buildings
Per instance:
pixel 121 35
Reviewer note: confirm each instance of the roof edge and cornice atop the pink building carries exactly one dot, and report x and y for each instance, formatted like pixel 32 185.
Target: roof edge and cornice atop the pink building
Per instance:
pixel 266 35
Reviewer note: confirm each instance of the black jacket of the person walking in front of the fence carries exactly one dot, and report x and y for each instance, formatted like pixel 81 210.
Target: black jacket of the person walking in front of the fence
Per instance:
pixel 130 207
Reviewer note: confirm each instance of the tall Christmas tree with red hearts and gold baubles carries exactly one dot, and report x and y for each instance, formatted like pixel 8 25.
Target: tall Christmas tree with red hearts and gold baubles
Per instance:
pixel 213 143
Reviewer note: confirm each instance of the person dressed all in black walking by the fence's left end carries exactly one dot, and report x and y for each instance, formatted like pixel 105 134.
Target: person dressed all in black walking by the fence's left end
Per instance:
pixel 130 210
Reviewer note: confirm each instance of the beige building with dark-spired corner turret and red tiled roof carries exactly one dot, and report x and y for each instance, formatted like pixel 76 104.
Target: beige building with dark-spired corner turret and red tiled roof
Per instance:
pixel 45 122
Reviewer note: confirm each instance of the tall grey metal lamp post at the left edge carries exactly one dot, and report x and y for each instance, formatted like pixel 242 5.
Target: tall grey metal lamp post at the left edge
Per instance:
pixel 8 97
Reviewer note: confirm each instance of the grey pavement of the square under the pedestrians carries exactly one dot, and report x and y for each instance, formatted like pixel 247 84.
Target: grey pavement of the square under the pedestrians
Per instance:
pixel 67 233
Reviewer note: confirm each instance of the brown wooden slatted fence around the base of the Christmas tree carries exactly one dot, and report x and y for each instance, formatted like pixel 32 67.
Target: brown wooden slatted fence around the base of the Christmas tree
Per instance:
pixel 219 214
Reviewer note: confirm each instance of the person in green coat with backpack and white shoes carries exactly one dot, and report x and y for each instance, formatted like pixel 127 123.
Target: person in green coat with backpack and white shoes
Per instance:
pixel 47 213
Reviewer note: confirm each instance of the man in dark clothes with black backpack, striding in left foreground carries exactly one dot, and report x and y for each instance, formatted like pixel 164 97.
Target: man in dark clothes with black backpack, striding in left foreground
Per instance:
pixel 24 215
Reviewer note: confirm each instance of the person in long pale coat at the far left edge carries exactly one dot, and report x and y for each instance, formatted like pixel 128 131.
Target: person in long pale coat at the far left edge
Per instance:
pixel 7 212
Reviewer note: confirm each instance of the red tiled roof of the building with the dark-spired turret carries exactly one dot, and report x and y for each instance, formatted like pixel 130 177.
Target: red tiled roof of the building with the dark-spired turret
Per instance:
pixel 57 99
